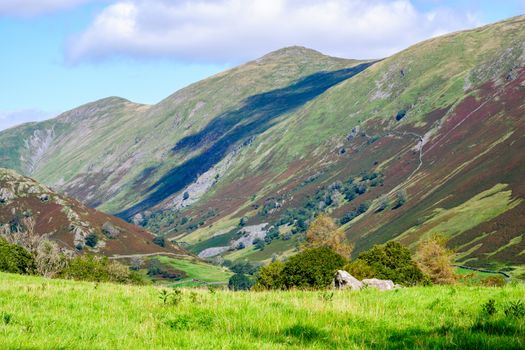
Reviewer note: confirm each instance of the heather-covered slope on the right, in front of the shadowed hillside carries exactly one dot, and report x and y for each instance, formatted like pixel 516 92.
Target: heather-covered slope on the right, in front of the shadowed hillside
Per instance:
pixel 442 121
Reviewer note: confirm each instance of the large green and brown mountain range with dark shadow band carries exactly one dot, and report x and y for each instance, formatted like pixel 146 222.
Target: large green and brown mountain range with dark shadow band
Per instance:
pixel 429 140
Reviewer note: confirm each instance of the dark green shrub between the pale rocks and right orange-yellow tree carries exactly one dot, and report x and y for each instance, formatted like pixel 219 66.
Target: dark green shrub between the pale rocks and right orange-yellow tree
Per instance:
pixel 392 261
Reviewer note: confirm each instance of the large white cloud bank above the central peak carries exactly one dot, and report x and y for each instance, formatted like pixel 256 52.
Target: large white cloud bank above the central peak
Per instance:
pixel 236 30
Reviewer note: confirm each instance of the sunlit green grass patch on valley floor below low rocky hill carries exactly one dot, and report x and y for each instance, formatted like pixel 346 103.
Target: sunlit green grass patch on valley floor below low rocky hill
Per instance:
pixel 198 270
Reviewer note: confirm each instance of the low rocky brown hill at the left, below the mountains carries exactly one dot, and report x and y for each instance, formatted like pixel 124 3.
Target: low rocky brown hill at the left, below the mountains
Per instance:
pixel 69 222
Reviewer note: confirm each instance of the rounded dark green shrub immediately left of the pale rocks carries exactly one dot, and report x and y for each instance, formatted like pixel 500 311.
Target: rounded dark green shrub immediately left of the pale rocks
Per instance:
pixel 312 268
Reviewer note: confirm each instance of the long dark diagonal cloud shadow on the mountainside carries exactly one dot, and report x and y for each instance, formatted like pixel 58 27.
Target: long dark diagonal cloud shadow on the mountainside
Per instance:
pixel 256 115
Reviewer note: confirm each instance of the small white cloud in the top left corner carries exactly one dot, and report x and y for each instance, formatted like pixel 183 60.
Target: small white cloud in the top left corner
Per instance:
pixel 29 8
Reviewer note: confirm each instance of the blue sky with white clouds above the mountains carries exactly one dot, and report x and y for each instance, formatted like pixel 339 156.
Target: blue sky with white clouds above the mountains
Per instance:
pixel 59 54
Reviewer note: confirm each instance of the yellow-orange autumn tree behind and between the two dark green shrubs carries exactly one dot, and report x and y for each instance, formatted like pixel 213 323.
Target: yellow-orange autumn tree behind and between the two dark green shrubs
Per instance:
pixel 324 232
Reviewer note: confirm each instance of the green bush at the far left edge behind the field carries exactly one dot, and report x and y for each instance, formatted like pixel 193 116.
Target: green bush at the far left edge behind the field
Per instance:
pixel 15 259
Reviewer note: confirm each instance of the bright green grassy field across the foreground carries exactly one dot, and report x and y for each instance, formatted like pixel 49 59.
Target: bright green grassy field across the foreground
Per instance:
pixel 36 313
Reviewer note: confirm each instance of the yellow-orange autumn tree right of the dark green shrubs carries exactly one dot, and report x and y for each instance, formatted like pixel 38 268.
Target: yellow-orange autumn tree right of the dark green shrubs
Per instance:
pixel 435 259
